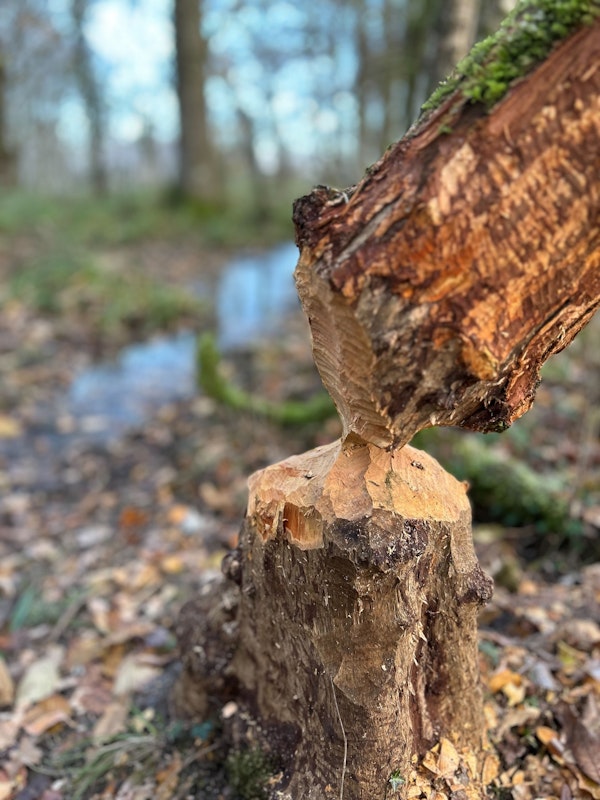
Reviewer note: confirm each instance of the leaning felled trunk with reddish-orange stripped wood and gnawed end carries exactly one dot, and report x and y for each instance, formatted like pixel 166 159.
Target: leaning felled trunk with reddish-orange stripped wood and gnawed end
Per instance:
pixel 467 255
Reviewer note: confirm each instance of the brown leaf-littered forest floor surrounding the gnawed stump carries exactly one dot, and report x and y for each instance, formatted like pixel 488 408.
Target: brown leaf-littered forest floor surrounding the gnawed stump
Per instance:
pixel 102 542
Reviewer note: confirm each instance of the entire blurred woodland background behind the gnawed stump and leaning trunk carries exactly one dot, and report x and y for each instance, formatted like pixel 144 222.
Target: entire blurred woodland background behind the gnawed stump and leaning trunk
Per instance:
pixel 149 155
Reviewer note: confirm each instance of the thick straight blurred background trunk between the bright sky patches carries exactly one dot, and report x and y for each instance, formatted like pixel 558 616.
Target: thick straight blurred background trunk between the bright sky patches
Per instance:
pixel 197 173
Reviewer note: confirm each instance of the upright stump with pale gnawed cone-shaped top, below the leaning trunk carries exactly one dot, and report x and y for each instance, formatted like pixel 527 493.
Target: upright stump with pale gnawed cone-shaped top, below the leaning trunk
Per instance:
pixel 360 588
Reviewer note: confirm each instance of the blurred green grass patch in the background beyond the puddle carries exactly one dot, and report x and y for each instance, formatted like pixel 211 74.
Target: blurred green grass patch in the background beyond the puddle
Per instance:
pixel 69 245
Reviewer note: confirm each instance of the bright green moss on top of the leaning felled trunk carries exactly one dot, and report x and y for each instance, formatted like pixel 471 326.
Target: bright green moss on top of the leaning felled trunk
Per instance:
pixel 524 39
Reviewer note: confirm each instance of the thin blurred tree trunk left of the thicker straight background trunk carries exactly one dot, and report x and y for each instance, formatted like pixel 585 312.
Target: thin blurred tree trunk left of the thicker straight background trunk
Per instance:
pixel 91 95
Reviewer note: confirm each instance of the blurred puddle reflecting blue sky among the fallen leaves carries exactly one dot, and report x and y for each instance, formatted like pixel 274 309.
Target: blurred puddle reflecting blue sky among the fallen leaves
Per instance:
pixel 253 296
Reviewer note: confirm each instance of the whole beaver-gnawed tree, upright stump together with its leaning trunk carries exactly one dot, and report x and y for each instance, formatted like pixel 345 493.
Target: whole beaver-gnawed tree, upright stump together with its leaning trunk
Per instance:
pixel 435 290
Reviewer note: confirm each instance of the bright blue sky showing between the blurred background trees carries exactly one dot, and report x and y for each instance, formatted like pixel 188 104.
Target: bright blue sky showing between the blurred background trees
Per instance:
pixel 134 44
